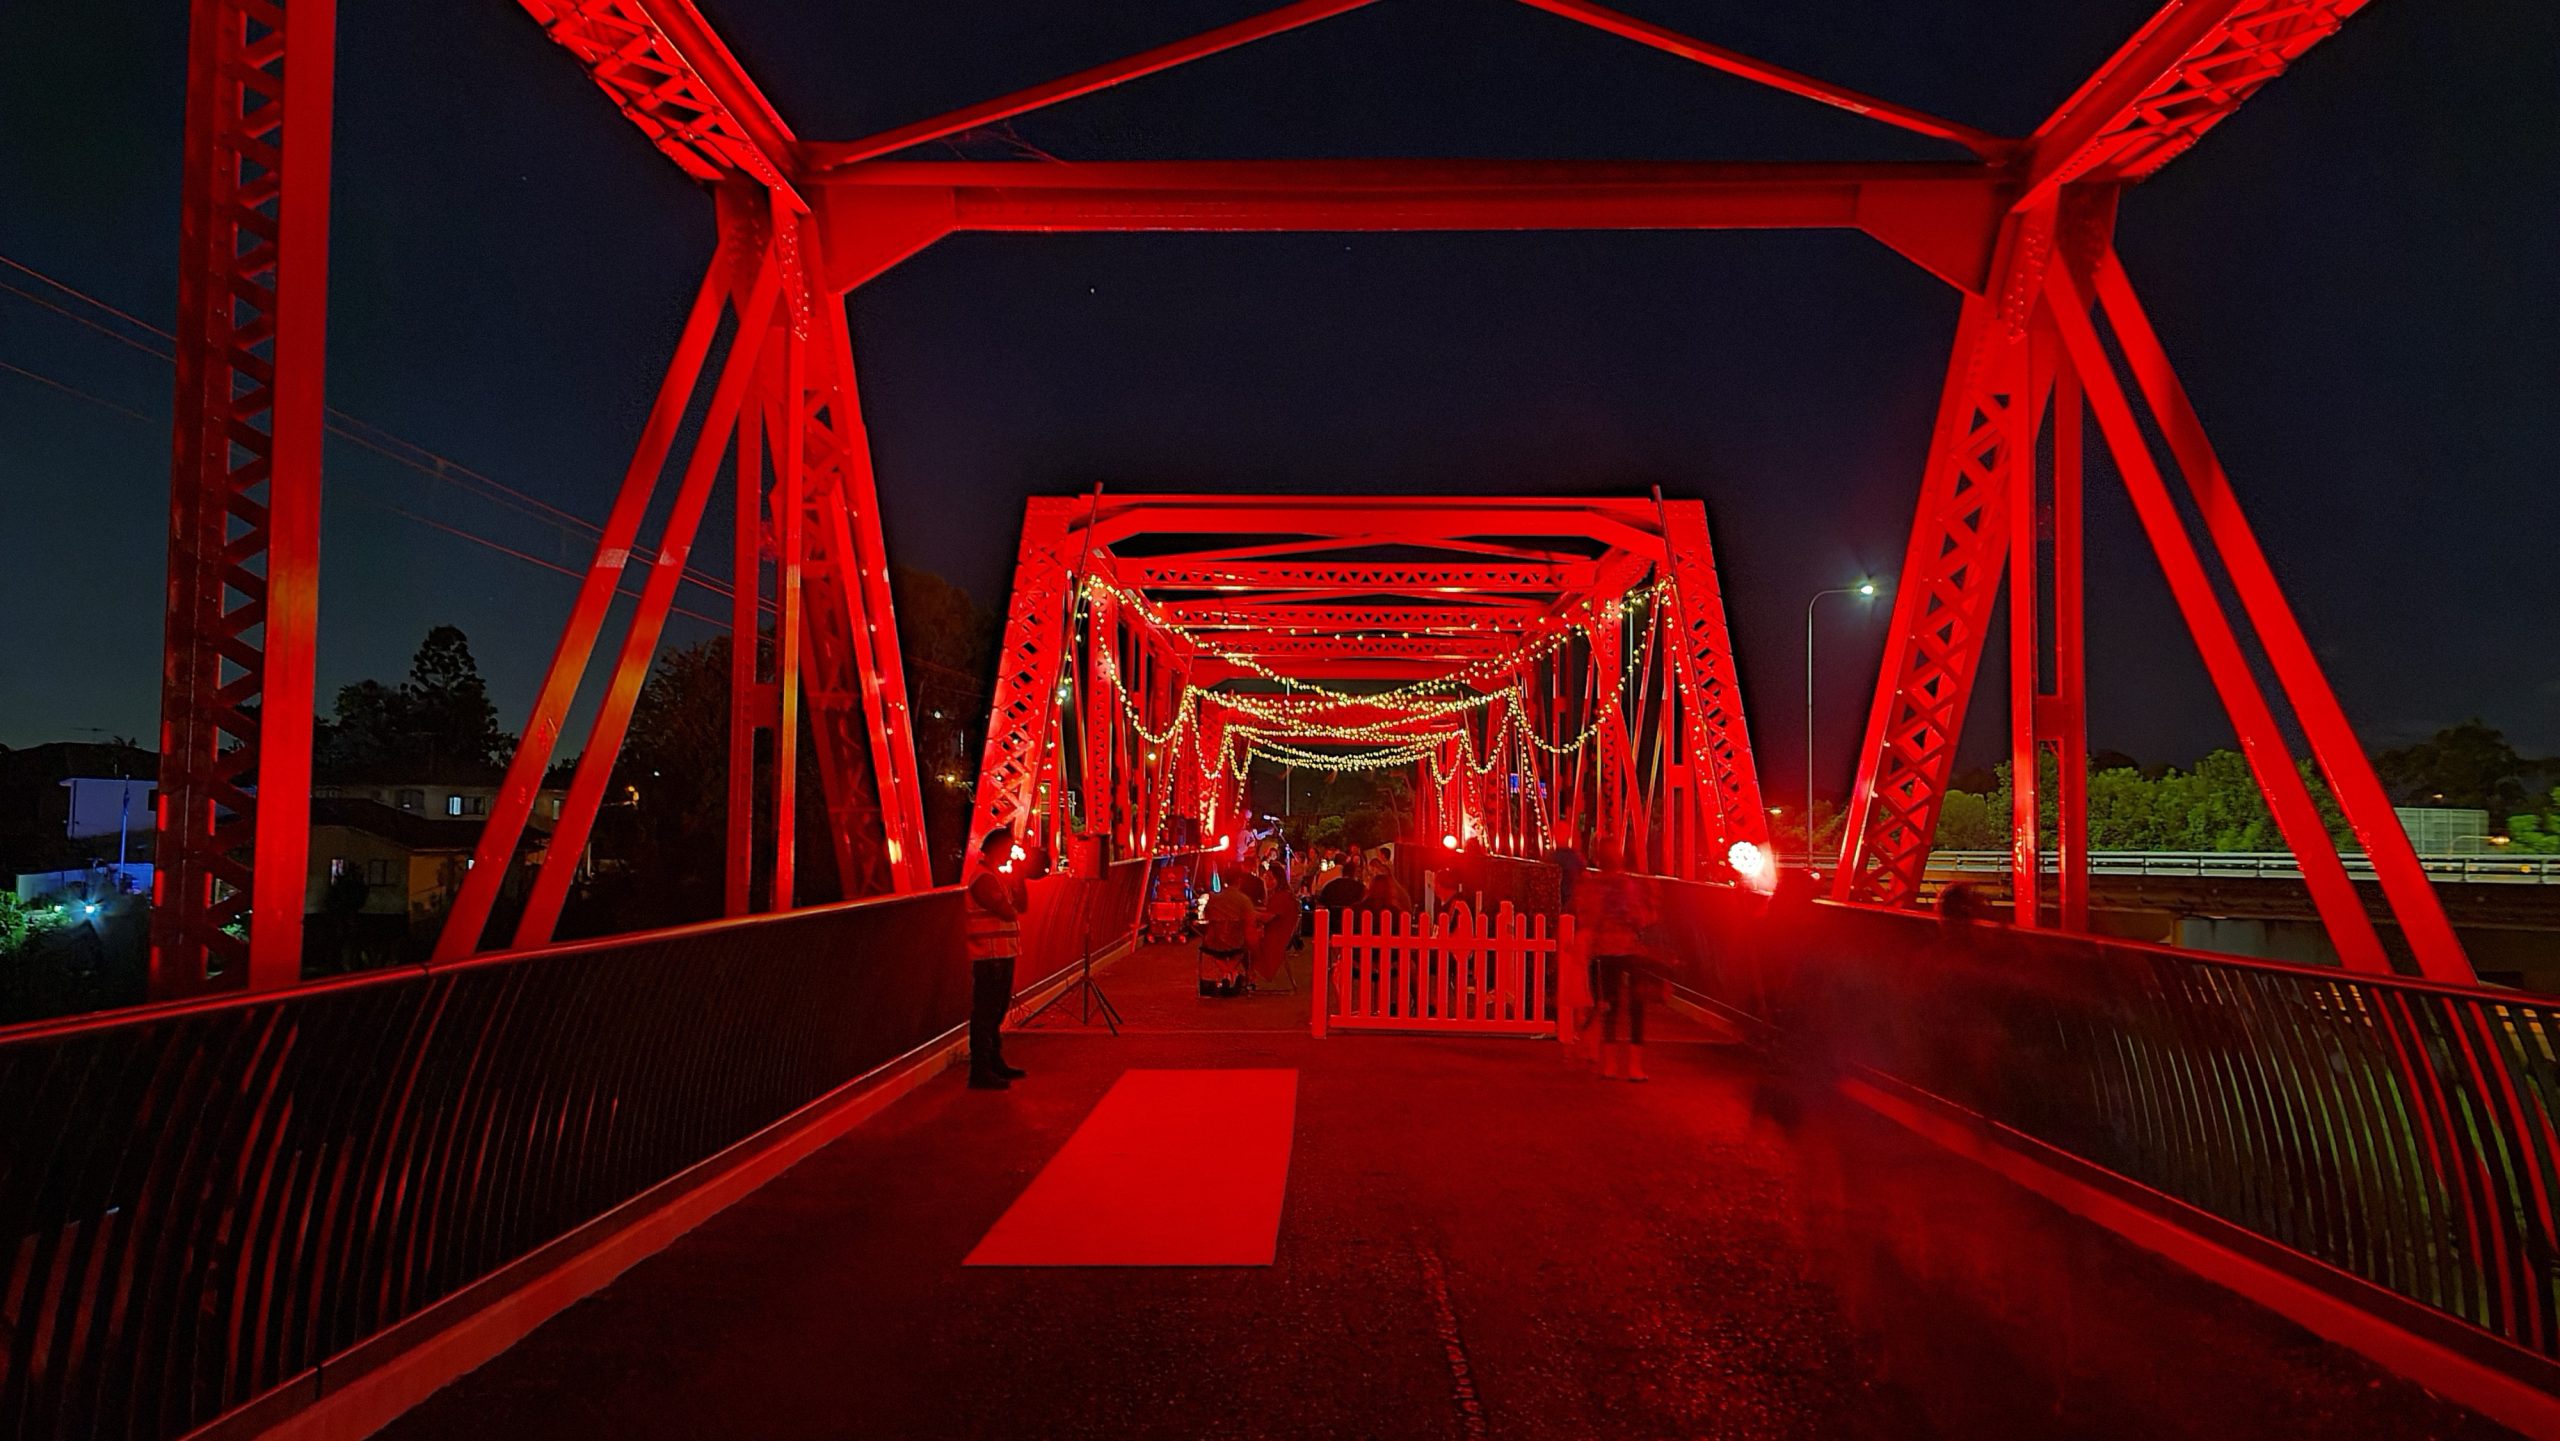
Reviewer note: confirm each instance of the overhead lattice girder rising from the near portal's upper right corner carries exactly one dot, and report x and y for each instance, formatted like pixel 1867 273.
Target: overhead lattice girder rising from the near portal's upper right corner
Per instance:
pixel 2177 78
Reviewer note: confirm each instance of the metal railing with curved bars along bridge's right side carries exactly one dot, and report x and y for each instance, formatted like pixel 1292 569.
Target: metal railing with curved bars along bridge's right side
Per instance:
pixel 2395 1130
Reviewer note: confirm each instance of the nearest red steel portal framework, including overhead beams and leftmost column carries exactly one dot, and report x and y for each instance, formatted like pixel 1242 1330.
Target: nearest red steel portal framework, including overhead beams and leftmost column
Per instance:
pixel 2024 229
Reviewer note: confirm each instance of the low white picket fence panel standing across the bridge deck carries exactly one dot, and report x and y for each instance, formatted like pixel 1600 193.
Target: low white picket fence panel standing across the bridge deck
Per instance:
pixel 1450 974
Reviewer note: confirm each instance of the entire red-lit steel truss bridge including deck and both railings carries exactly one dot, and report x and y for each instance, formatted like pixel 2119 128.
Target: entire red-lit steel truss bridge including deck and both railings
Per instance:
pixel 268 1202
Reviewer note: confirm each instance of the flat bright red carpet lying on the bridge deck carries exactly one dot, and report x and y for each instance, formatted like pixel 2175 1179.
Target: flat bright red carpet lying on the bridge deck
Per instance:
pixel 1174 1168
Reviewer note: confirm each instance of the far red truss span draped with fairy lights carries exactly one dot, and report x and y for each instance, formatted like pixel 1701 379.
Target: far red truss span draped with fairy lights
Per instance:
pixel 1545 669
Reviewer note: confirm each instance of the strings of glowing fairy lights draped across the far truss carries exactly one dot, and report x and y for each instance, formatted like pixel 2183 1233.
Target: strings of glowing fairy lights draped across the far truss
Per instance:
pixel 1304 713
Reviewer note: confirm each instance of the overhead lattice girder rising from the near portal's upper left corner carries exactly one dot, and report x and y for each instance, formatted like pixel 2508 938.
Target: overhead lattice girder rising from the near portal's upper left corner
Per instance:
pixel 667 70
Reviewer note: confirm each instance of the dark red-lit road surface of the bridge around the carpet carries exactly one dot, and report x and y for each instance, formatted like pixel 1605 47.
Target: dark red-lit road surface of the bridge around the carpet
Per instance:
pixel 1478 1243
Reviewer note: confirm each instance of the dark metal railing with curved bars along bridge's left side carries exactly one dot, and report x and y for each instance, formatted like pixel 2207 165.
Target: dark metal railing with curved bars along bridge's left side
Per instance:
pixel 209 1202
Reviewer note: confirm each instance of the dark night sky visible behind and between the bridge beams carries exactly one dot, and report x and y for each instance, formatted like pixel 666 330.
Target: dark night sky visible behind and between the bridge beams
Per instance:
pixel 2356 278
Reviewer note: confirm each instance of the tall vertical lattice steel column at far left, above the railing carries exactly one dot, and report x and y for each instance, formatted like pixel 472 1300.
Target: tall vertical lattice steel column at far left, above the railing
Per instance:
pixel 244 498
